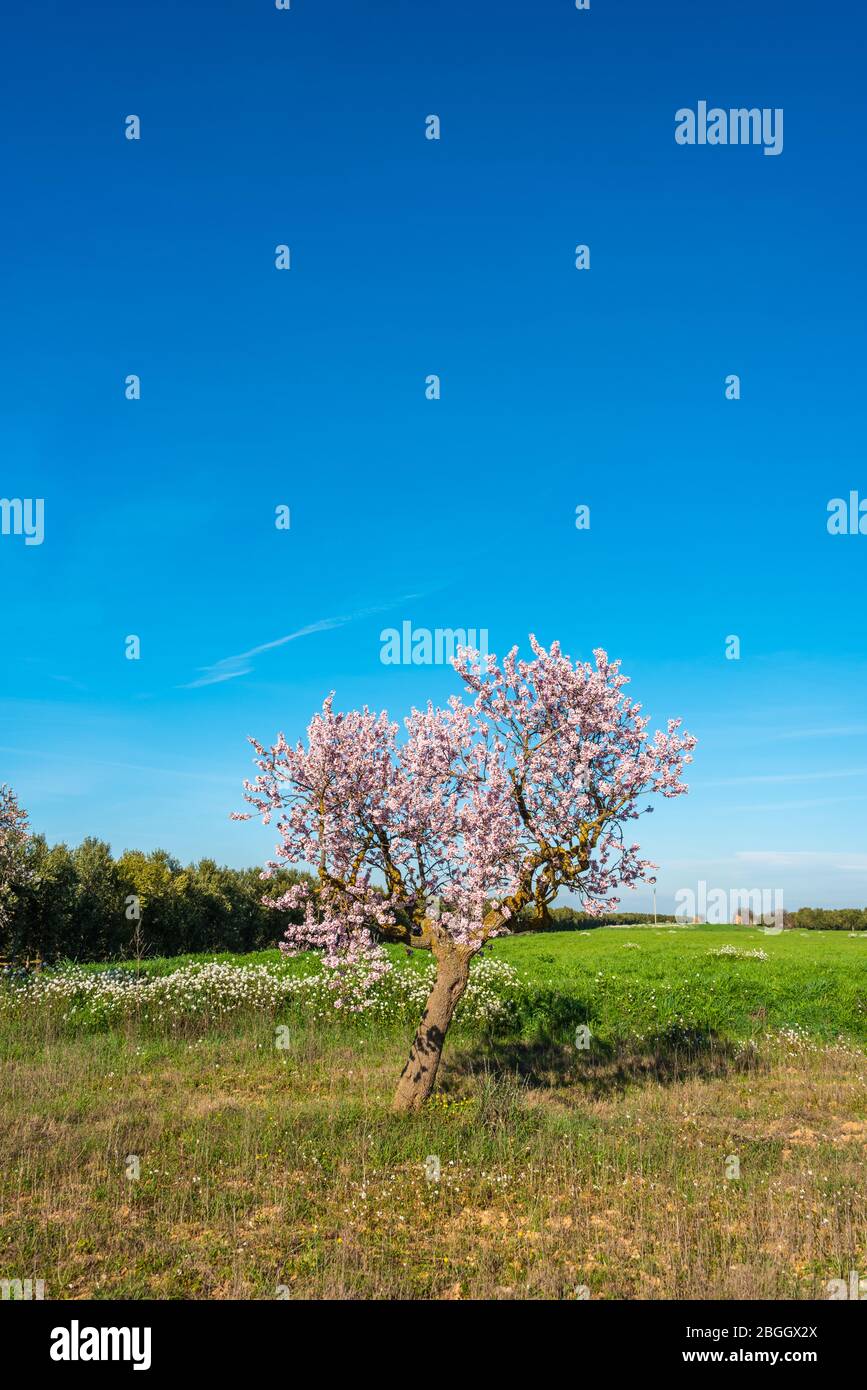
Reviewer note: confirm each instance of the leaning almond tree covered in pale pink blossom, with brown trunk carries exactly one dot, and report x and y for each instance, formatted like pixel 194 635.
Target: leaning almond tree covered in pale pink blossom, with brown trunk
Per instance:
pixel 484 810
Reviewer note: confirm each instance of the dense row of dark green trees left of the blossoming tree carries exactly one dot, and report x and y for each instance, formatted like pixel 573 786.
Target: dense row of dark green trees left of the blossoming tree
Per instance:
pixel 85 906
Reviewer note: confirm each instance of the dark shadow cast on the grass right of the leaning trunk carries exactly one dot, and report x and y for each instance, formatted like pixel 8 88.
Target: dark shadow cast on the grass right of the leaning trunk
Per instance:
pixel 602 1070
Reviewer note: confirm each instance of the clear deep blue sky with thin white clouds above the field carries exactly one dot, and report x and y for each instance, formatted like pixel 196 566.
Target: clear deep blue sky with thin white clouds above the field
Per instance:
pixel 308 389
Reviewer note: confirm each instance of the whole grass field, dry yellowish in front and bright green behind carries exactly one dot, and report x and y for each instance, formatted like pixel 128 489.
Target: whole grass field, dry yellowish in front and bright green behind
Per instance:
pixel 563 1172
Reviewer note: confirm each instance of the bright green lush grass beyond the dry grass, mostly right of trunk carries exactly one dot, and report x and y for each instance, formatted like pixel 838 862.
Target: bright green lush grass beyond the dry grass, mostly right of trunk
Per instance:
pixel 630 983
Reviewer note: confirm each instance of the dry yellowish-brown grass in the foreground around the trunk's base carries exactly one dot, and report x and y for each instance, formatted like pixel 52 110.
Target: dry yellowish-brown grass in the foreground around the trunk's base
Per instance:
pixel 262 1170
